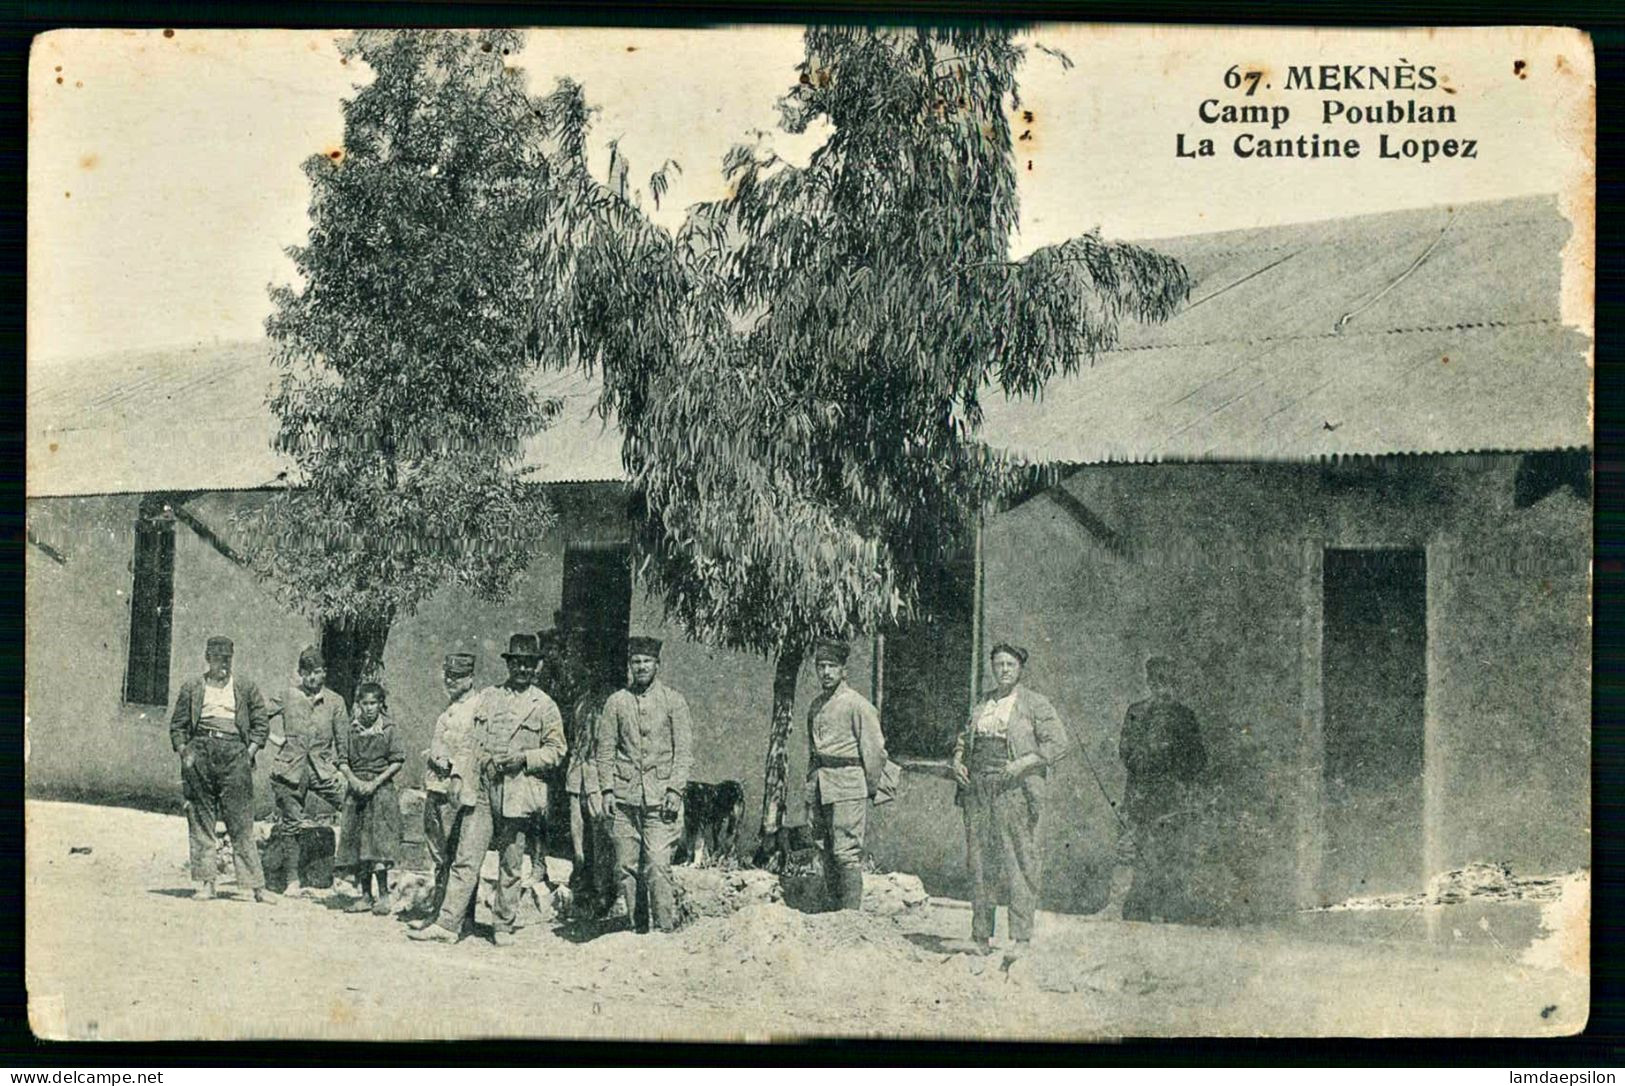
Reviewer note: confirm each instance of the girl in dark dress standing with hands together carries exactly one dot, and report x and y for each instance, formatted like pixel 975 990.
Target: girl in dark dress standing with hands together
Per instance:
pixel 370 836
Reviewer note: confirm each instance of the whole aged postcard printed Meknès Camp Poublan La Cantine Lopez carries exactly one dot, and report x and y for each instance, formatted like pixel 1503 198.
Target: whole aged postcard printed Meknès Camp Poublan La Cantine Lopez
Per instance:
pixel 753 532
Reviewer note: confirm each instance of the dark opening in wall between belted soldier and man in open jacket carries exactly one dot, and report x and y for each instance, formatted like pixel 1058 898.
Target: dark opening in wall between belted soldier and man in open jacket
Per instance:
pixel 925 672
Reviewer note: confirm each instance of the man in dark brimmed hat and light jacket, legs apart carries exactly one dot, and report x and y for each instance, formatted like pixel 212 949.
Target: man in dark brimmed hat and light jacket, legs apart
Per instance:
pixel 518 737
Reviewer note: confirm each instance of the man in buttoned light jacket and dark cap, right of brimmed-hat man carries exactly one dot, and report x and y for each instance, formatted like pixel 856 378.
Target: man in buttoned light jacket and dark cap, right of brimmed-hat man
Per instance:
pixel 646 754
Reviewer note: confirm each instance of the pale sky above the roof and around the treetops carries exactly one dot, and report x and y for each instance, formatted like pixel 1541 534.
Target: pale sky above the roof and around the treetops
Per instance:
pixel 165 178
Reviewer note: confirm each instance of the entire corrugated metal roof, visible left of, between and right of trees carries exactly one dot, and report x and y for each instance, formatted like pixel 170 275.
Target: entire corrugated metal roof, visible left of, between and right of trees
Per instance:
pixel 1432 331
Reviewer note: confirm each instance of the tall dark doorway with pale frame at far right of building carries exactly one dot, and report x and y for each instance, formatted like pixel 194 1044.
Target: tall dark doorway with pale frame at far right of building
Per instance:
pixel 1374 682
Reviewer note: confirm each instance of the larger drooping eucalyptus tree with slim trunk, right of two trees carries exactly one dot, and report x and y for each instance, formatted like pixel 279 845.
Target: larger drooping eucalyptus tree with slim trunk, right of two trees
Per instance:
pixel 802 394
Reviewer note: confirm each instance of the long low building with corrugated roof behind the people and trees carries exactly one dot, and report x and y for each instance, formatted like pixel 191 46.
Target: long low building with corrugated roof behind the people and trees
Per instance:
pixel 1348 490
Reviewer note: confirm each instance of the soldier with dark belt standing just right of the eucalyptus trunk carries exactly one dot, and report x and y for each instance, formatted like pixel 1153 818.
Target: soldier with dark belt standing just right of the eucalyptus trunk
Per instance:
pixel 846 762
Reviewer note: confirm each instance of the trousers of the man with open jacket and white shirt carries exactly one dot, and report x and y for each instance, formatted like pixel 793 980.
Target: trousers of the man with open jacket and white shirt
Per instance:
pixel 1002 846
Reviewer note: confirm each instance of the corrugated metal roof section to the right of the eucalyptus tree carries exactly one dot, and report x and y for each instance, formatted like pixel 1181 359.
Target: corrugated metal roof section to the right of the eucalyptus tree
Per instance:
pixel 1431 331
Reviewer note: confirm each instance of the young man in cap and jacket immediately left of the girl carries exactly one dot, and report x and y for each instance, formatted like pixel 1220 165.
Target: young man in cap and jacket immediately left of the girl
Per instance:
pixel 313 719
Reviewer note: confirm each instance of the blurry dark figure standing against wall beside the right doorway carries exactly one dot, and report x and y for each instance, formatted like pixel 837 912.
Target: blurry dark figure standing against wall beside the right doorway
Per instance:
pixel 1164 755
